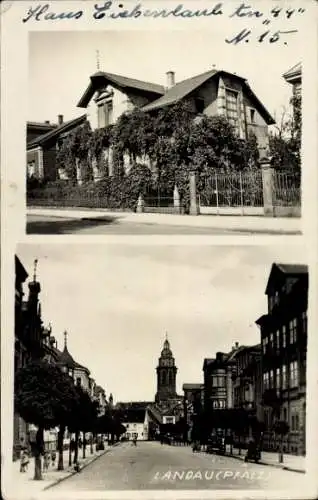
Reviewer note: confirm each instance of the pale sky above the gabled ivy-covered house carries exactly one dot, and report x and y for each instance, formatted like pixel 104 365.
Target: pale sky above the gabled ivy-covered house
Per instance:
pixel 60 64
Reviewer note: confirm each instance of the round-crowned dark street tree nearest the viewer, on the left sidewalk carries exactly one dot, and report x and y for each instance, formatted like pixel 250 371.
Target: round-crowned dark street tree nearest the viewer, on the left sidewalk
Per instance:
pixel 42 395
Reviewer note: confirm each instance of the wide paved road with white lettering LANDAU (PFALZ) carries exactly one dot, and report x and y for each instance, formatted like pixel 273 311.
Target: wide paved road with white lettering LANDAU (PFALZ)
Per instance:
pixel 150 466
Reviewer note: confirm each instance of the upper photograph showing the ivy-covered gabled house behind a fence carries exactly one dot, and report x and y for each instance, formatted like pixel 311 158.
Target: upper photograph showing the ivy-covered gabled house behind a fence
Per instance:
pixel 162 132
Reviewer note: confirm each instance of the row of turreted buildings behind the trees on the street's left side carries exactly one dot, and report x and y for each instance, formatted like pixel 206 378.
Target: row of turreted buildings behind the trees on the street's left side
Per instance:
pixel 33 341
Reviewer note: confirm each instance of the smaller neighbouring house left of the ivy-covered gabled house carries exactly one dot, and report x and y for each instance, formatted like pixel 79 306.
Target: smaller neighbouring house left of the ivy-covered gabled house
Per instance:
pixel 42 149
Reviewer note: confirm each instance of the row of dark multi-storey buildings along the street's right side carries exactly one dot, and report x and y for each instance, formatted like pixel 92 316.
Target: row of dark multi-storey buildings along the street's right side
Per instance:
pixel 266 380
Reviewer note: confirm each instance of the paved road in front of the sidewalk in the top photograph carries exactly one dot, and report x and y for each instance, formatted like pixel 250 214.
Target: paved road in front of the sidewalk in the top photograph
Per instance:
pixel 37 224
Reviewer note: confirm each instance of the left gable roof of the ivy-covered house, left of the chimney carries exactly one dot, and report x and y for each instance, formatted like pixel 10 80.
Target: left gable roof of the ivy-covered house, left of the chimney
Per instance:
pixel 120 81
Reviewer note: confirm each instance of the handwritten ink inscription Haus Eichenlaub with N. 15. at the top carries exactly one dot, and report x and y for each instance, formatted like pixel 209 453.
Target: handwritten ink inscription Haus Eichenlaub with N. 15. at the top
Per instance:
pixel 258 27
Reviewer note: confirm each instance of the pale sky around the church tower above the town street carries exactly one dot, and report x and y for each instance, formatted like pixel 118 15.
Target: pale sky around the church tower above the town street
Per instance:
pixel 118 301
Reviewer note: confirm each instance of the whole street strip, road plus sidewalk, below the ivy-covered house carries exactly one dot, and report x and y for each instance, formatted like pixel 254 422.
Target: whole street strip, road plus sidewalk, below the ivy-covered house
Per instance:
pixel 118 224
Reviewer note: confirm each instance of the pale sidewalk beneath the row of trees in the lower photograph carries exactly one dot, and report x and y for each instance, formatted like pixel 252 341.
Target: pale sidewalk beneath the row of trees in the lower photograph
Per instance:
pixel 23 485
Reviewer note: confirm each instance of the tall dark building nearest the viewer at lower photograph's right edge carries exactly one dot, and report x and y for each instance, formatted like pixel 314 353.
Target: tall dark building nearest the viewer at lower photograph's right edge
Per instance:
pixel 284 347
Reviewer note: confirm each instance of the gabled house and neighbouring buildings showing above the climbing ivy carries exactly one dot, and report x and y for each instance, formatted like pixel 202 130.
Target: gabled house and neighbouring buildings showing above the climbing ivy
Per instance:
pixel 108 96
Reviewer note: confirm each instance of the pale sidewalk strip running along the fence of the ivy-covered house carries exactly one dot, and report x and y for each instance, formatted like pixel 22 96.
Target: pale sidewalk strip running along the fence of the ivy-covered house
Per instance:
pixel 255 224
